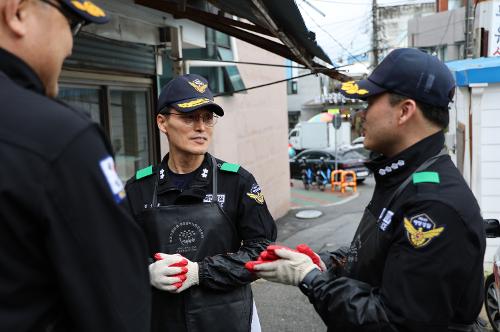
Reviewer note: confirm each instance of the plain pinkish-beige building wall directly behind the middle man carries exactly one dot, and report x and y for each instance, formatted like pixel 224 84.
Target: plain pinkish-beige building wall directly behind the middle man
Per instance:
pixel 254 129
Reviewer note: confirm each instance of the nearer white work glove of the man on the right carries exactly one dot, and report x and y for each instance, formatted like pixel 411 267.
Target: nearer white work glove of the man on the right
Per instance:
pixel 291 269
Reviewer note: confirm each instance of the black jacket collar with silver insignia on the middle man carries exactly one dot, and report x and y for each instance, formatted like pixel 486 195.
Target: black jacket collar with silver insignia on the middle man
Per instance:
pixel 199 184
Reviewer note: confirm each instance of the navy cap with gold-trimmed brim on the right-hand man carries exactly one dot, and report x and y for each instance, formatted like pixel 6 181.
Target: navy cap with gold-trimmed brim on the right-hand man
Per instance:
pixel 409 72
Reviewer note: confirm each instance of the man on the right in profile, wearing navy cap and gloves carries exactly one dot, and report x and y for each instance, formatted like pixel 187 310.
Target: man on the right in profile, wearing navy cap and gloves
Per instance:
pixel 416 260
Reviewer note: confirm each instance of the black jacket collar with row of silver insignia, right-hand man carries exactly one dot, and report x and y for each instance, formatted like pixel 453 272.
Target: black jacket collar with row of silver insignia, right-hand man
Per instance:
pixel 391 171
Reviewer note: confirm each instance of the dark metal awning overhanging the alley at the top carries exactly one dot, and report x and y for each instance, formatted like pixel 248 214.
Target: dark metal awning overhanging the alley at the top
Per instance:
pixel 274 25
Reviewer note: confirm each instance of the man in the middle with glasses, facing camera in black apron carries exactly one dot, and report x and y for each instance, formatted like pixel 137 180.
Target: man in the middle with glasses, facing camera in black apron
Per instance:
pixel 203 219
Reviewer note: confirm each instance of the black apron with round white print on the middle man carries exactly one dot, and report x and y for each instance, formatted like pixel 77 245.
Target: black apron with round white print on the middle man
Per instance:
pixel 196 231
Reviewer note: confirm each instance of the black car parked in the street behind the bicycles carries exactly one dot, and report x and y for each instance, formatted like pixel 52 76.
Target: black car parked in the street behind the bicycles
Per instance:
pixel 346 160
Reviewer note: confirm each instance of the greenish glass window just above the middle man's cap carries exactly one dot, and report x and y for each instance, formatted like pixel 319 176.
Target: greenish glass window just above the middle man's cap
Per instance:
pixel 221 78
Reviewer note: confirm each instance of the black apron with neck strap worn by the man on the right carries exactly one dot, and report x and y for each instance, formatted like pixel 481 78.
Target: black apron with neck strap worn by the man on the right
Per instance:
pixel 367 254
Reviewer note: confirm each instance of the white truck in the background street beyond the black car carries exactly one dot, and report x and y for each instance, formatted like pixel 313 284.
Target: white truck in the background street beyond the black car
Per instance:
pixel 318 135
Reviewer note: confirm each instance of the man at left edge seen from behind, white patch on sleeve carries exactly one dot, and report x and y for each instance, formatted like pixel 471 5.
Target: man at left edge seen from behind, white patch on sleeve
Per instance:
pixel 71 257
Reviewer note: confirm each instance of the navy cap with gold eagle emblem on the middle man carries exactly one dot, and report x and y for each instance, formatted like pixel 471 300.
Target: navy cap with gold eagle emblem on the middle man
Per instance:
pixel 188 93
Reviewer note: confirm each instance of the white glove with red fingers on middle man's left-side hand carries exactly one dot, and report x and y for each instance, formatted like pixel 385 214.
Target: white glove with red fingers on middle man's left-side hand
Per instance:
pixel 166 277
